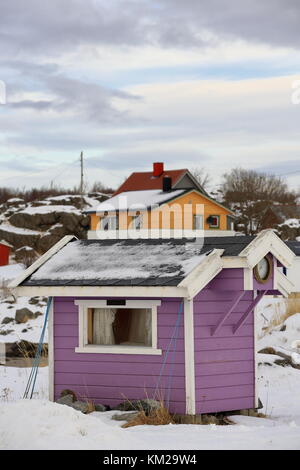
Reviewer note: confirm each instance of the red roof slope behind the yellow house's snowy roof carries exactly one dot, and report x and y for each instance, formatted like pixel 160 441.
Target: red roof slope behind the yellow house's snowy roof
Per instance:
pixel 145 180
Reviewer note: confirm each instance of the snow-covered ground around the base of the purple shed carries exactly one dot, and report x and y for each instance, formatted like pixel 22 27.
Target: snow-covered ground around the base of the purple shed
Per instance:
pixel 52 426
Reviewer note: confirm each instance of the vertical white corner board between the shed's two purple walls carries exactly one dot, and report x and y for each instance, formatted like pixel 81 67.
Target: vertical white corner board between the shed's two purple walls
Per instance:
pixel 189 348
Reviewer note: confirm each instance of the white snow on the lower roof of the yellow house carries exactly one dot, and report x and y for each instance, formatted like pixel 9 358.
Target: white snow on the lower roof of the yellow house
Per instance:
pixel 136 200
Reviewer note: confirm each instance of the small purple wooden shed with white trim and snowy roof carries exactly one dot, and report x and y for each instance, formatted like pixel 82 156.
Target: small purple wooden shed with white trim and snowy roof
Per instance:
pixel 167 318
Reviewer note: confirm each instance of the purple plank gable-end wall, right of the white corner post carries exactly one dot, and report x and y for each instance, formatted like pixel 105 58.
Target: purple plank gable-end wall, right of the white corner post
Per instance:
pixel 224 362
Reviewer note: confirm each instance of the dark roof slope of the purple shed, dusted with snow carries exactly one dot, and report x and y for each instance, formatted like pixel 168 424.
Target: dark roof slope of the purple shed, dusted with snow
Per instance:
pixel 125 262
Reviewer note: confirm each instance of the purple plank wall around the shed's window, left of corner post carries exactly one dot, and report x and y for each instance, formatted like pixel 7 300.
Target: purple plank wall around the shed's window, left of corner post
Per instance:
pixel 109 378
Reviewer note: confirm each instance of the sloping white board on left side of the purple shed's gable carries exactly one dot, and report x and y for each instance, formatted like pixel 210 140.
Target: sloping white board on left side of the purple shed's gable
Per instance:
pixel 203 273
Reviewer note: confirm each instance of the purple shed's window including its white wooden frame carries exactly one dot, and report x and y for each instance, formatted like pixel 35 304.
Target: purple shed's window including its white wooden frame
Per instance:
pixel 130 328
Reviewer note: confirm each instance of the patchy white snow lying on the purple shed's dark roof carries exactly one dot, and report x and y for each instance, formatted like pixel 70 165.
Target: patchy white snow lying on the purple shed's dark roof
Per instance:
pixel 120 261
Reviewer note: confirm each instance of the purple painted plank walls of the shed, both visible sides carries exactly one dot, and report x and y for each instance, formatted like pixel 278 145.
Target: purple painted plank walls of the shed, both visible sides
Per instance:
pixel 224 363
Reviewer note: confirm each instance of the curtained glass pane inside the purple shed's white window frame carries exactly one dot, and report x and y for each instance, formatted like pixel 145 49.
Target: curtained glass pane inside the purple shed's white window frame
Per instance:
pixel 113 326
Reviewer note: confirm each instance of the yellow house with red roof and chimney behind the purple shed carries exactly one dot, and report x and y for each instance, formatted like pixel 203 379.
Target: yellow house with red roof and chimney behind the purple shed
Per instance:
pixel 157 204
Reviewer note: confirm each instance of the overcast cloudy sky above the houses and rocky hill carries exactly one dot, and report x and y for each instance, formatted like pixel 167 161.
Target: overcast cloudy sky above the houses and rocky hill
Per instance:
pixel 193 83
